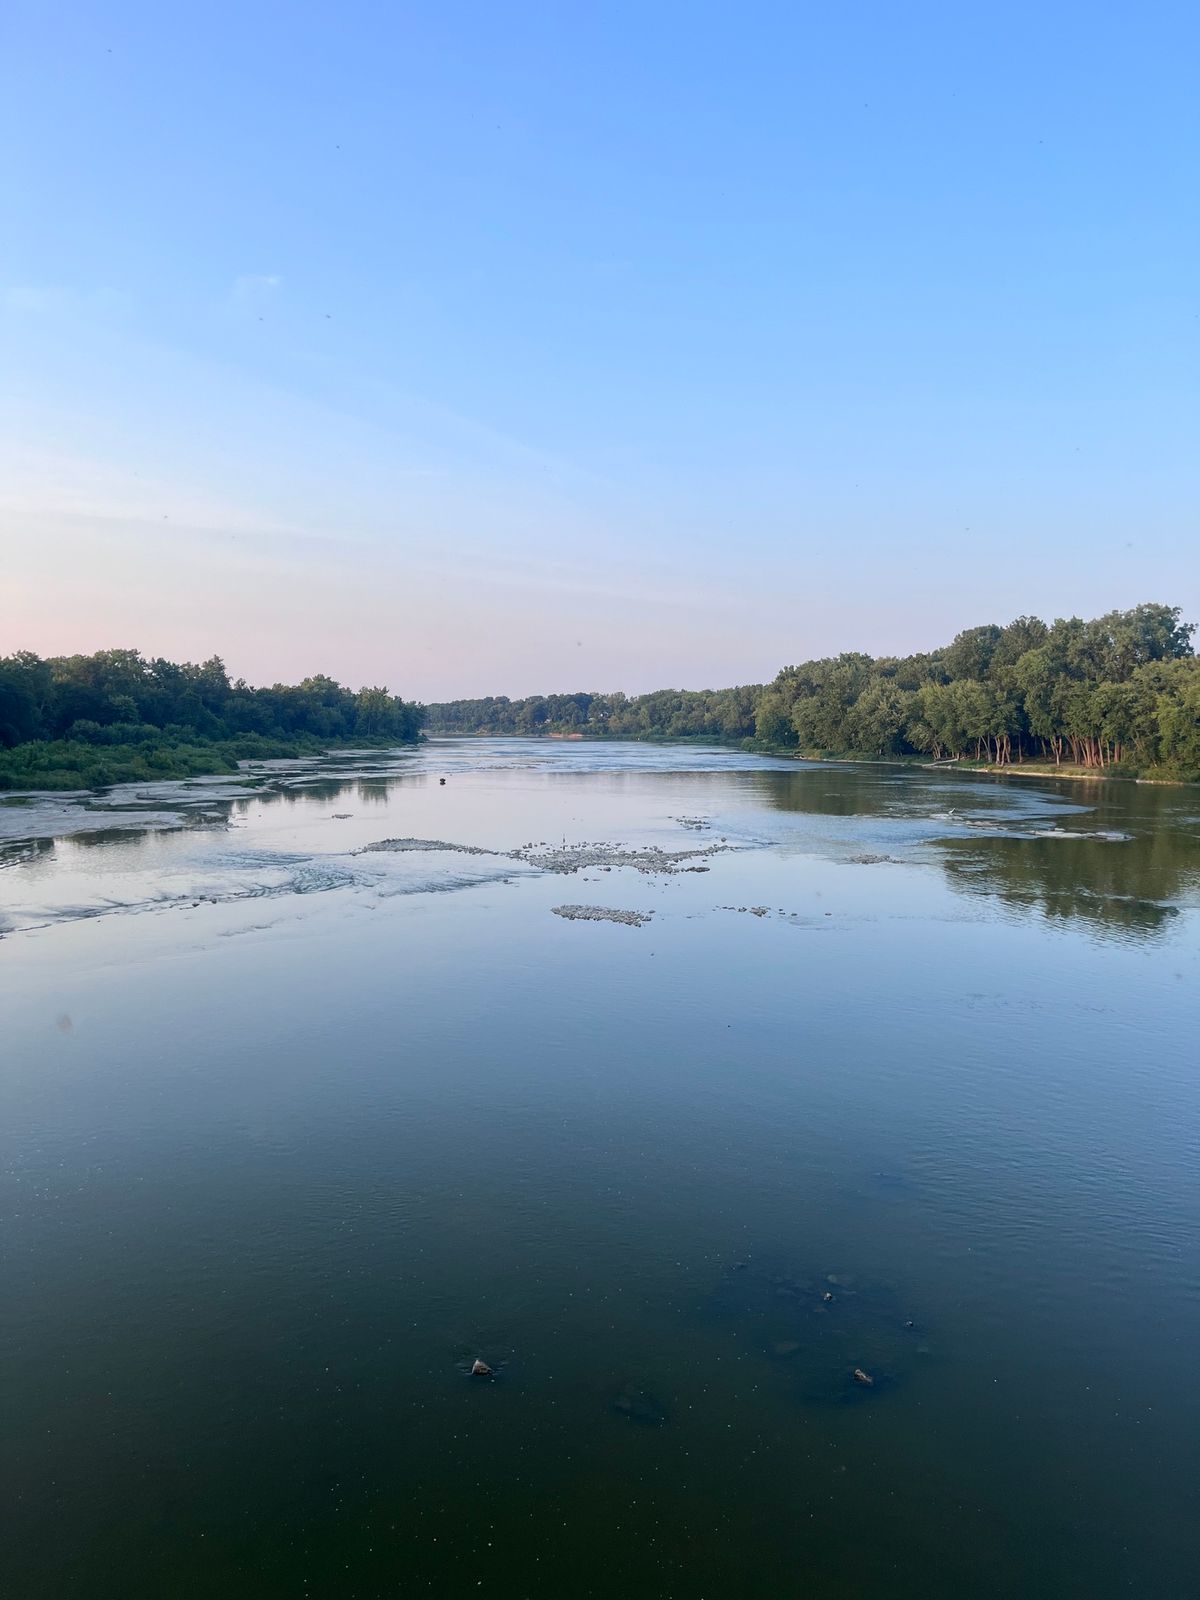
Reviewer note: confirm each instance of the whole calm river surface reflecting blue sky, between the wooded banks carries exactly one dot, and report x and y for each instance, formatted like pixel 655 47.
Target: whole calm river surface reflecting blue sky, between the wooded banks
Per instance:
pixel 290 1135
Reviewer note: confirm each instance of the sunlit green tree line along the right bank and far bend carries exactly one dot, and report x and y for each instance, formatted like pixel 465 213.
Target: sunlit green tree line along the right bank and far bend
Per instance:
pixel 1122 690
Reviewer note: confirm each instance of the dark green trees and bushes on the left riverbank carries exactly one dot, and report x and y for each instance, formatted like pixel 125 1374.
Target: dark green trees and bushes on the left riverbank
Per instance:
pixel 118 713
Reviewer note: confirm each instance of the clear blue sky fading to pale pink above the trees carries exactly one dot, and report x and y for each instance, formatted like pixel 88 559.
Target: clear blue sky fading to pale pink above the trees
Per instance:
pixel 510 348
